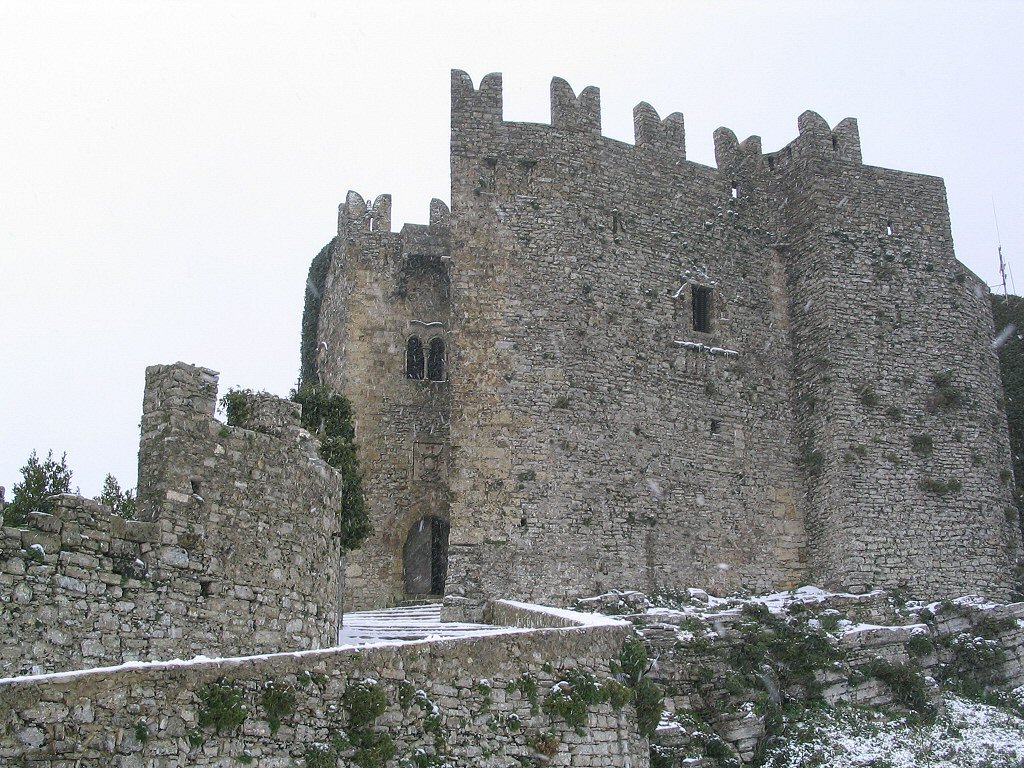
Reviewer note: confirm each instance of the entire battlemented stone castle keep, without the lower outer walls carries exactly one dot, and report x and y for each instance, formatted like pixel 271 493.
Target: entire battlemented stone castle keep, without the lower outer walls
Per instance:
pixel 610 367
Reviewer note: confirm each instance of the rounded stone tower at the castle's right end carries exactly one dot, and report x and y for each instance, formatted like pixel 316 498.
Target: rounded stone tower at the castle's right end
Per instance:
pixel 899 399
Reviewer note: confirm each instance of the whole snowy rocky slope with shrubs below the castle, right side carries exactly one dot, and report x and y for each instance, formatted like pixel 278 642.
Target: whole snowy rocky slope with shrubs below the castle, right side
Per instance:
pixel 813 678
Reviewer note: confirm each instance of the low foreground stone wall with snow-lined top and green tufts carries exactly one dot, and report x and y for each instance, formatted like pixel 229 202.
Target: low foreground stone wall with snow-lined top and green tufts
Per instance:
pixel 455 703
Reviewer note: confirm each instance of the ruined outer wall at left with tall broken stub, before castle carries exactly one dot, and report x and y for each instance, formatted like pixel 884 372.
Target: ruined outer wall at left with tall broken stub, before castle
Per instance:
pixel 236 550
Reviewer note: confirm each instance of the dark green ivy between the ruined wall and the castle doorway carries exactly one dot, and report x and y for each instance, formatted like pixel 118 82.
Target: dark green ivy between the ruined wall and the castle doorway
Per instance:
pixel 329 416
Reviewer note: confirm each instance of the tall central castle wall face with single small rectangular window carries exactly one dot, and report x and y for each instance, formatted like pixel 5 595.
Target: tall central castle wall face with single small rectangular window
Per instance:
pixel 600 439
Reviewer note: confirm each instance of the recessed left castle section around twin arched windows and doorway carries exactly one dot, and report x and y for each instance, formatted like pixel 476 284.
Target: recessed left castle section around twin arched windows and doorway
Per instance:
pixel 383 288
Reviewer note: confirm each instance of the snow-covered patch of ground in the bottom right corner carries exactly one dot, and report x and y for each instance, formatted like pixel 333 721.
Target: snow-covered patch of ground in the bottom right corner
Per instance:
pixel 967 735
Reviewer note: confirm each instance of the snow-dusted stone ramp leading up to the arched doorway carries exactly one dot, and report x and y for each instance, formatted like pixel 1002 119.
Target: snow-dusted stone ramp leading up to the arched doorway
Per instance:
pixel 409 623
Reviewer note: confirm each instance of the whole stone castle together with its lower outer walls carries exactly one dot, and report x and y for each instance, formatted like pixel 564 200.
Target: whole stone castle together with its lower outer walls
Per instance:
pixel 605 368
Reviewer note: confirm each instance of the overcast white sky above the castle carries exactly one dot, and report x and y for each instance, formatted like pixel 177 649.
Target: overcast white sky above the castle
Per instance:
pixel 169 169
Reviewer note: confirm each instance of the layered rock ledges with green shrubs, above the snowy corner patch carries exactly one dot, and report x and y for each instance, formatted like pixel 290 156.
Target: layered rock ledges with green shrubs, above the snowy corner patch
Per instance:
pixel 718 686
